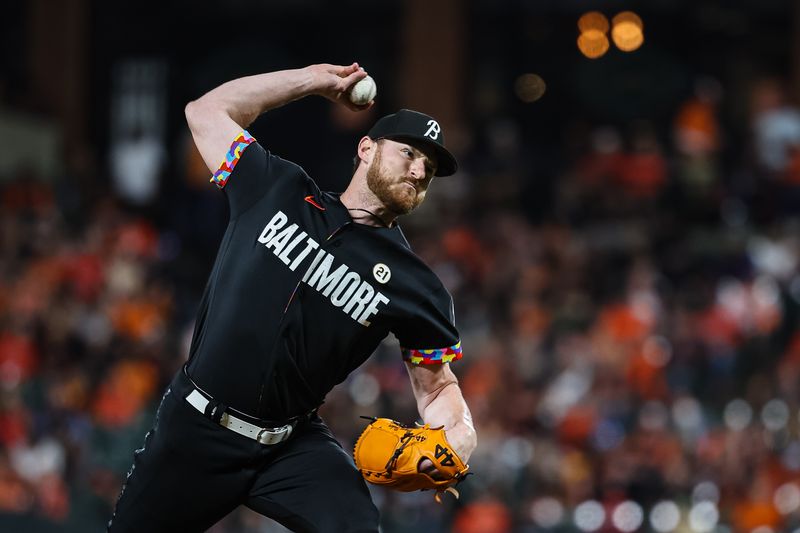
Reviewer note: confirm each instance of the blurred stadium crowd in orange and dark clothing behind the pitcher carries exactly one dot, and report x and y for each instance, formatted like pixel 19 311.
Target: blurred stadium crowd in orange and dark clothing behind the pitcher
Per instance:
pixel 632 355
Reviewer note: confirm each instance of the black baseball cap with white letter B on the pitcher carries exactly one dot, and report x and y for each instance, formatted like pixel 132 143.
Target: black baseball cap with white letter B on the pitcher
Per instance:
pixel 408 125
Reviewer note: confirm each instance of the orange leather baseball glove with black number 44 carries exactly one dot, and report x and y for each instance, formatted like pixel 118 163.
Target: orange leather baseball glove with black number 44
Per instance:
pixel 389 453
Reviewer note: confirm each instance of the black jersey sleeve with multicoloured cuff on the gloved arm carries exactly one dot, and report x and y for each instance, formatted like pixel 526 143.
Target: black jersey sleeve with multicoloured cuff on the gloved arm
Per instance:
pixel 430 335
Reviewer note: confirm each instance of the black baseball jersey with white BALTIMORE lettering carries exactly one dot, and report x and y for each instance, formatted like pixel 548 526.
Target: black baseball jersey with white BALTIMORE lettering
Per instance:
pixel 300 295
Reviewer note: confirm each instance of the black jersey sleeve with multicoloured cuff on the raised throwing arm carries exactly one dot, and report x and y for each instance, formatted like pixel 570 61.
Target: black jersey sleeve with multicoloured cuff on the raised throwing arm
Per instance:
pixel 246 174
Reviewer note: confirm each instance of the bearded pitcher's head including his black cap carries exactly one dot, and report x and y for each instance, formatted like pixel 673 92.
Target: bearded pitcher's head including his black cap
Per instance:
pixel 399 156
